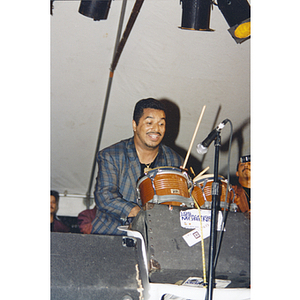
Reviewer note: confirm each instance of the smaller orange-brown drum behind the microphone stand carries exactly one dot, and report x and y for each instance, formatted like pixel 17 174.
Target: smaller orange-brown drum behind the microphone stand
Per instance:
pixel 202 191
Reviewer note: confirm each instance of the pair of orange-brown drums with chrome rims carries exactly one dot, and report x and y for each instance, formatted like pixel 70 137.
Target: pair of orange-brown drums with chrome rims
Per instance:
pixel 173 186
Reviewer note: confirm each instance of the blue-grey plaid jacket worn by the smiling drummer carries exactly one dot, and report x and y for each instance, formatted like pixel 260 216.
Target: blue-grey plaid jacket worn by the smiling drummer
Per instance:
pixel 115 191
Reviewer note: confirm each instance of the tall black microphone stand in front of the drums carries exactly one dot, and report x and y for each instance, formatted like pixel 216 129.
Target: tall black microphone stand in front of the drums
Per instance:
pixel 213 227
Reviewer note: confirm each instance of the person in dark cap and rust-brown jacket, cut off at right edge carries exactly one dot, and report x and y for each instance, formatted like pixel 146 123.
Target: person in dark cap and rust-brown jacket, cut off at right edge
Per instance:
pixel 243 189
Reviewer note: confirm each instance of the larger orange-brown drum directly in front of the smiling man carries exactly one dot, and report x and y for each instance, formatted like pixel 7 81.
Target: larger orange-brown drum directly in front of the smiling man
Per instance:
pixel 165 185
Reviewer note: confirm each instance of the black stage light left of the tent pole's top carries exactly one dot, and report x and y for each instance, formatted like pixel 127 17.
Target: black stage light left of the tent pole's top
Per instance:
pixel 95 9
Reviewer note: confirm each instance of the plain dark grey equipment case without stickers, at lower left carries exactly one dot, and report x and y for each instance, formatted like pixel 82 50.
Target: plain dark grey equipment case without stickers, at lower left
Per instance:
pixel 89 267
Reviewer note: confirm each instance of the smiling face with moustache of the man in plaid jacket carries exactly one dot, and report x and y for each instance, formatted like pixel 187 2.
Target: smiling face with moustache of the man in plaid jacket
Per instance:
pixel 151 128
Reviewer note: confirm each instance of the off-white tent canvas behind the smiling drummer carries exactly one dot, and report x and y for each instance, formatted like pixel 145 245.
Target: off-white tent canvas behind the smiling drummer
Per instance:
pixel 187 68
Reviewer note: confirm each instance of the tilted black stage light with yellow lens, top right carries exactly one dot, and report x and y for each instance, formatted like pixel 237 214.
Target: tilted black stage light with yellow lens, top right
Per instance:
pixel 237 15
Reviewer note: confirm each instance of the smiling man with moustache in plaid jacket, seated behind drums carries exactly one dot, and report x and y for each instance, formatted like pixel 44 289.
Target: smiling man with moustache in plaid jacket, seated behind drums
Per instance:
pixel 122 164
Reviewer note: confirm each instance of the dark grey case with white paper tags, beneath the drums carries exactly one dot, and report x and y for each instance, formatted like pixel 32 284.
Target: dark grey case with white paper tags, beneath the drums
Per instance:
pixel 171 259
